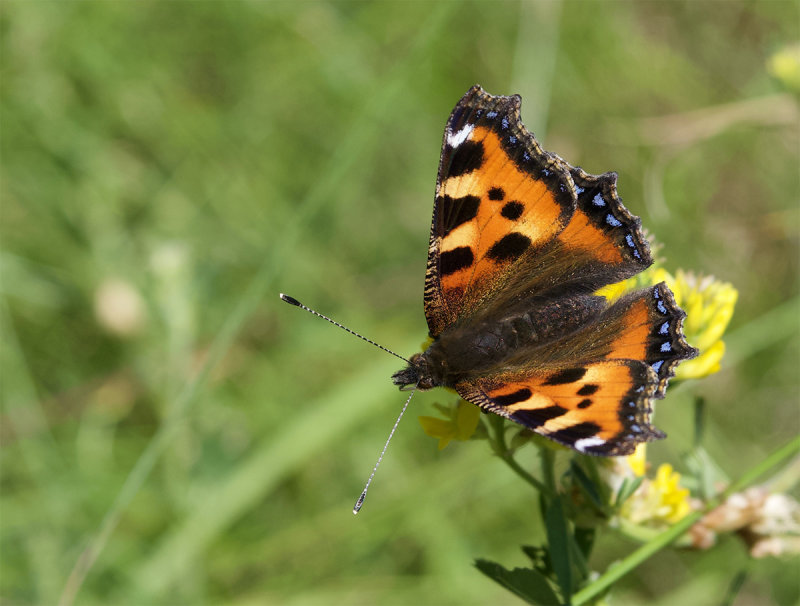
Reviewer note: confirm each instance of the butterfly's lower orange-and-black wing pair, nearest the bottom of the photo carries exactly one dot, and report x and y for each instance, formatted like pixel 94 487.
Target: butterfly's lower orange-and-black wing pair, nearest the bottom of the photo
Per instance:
pixel 593 389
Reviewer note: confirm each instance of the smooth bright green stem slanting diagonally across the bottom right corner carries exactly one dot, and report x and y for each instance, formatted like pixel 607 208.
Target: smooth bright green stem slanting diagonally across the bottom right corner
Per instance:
pixel 622 568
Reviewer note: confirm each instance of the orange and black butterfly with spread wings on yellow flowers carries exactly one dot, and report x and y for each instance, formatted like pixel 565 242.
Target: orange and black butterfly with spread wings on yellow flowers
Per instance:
pixel 520 243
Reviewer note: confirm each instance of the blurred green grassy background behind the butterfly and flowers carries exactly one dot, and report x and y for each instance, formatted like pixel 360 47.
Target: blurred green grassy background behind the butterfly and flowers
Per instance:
pixel 174 434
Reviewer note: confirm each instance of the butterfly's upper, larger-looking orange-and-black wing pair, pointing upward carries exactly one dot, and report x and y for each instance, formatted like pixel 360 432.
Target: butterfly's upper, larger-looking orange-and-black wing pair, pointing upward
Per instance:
pixel 510 218
